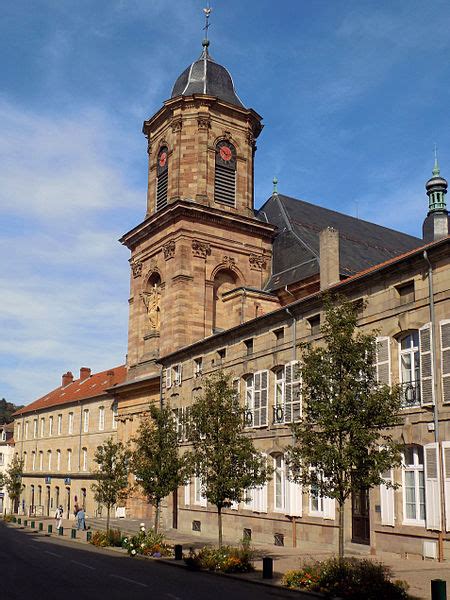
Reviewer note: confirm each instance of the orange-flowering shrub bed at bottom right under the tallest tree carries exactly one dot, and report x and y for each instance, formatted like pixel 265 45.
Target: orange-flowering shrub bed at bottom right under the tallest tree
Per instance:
pixel 348 578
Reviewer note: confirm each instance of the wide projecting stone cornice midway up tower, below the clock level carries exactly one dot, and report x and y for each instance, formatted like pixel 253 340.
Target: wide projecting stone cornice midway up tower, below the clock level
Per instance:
pixel 187 209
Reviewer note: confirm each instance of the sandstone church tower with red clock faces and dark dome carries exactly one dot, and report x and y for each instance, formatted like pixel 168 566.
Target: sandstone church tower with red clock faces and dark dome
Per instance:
pixel 200 258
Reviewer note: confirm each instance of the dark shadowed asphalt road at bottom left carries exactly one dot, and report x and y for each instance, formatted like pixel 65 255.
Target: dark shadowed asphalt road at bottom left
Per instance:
pixel 35 567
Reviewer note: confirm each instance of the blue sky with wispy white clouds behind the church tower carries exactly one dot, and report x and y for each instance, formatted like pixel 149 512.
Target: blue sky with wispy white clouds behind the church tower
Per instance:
pixel 354 94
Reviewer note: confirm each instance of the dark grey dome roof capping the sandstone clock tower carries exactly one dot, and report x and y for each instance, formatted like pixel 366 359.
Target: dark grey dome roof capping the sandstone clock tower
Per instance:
pixel 205 76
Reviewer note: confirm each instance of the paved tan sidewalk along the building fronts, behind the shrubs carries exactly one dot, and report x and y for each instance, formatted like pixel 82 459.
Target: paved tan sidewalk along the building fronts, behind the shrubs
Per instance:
pixel 418 573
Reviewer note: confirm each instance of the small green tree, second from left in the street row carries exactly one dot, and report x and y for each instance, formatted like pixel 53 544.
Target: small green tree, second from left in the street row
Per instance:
pixel 112 459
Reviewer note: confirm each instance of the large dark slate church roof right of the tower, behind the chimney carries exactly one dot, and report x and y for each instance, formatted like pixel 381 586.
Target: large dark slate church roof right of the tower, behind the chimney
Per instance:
pixel 296 245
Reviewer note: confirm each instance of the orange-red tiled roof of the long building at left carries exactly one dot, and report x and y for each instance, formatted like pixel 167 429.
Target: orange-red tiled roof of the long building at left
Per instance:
pixel 79 389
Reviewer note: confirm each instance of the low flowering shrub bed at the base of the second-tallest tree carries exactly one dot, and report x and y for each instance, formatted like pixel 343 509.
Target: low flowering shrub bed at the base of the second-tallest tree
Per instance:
pixel 227 559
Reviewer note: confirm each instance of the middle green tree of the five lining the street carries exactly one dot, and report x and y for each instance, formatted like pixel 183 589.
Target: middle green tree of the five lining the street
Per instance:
pixel 156 461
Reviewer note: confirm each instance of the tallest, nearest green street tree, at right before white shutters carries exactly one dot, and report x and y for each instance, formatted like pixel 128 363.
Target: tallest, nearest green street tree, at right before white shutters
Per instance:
pixel 345 433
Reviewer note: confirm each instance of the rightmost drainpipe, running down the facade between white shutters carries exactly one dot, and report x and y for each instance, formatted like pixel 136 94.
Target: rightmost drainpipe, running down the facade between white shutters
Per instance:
pixel 435 405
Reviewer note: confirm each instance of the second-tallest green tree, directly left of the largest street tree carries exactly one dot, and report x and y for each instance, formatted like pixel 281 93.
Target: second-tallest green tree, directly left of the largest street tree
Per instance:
pixel 223 456
